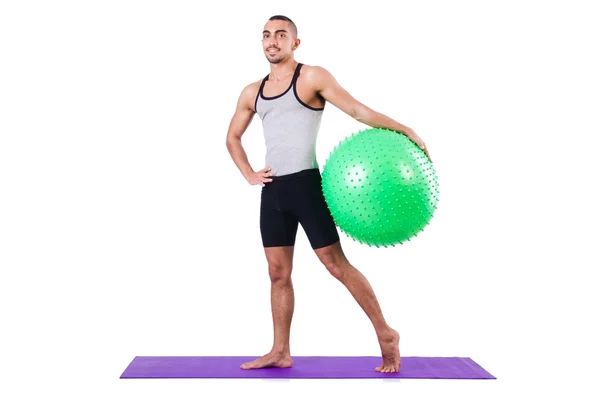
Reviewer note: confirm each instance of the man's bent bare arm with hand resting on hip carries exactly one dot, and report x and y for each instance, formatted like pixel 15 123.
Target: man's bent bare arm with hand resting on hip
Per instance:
pixel 244 113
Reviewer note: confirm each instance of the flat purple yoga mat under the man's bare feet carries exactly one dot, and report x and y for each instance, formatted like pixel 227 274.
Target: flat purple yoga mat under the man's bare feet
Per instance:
pixel 309 367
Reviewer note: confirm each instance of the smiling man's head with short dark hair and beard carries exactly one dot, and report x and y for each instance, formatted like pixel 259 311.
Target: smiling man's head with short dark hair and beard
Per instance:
pixel 280 38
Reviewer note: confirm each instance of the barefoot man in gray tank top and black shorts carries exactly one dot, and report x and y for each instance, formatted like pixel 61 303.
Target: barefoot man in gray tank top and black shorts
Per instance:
pixel 290 101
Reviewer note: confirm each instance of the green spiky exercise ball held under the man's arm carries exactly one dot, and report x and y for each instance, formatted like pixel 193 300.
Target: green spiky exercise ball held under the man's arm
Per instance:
pixel 380 187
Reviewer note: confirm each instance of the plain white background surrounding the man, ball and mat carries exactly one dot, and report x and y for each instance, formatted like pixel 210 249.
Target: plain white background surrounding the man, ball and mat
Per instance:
pixel 126 229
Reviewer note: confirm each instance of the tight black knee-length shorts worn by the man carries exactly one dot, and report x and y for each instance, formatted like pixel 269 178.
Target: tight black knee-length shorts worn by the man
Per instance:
pixel 291 199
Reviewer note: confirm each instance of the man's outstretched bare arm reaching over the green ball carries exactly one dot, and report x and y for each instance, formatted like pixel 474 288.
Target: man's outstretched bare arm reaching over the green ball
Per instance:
pixel 328 87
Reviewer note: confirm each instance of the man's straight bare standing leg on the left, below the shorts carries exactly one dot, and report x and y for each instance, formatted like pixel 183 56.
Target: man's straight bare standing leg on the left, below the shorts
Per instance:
pixel 282 307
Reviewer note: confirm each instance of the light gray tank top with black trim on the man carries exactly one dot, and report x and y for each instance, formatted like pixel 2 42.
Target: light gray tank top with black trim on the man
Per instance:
pixel 290 129
